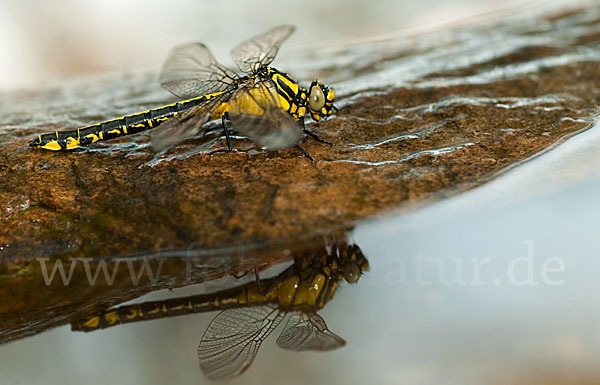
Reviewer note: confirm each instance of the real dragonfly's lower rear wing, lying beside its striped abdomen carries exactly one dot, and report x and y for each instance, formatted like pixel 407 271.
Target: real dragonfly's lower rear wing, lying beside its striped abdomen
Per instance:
pixel 185 124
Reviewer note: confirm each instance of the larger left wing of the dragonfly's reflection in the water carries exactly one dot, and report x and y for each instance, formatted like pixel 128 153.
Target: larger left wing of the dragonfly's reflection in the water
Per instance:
pixel 233 338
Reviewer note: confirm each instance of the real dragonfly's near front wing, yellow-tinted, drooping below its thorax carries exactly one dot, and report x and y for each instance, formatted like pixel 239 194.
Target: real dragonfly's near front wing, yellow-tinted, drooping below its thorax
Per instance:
pixel 255 111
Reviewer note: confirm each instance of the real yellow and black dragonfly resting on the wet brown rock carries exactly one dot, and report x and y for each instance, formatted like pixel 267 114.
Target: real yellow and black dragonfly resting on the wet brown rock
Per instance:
pixel 264 104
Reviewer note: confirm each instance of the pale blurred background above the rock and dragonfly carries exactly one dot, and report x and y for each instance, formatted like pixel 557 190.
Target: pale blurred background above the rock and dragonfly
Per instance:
pixel 44 42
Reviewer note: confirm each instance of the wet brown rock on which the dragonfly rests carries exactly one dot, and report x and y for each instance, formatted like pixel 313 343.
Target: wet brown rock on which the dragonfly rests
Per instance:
pixel 392 147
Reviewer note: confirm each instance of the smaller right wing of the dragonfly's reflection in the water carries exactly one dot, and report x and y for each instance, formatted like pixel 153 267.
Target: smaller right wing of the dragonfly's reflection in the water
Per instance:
pixel 308 331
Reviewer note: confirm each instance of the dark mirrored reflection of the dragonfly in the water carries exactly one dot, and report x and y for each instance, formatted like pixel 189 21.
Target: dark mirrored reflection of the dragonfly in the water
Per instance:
pixel 250 312
